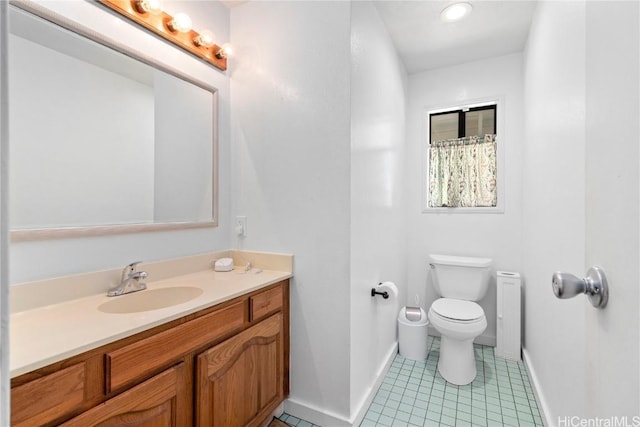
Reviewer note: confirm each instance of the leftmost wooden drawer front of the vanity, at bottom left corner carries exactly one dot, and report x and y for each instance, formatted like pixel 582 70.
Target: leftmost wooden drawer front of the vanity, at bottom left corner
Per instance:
pixel 45 399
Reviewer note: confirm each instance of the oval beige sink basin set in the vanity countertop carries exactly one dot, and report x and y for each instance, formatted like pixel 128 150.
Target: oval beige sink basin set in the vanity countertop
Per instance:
pixel 150 299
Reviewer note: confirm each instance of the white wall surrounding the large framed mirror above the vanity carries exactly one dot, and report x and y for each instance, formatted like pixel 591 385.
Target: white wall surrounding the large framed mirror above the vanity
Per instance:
pixel 52 258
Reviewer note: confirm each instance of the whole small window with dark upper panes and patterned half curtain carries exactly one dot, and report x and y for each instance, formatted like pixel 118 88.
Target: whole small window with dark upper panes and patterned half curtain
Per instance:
pixel 462 158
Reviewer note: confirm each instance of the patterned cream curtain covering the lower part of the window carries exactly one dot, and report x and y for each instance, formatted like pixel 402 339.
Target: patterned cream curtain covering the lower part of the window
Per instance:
pixel 462 172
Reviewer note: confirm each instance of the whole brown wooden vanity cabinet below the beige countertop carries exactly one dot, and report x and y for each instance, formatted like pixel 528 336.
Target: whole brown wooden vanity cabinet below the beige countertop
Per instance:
pixel 224 366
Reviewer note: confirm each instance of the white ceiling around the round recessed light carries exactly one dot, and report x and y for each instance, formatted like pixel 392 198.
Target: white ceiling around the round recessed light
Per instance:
pixel 424 42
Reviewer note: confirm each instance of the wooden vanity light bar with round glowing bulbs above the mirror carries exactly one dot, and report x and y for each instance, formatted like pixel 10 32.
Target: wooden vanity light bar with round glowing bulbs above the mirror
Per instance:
pixel 176 29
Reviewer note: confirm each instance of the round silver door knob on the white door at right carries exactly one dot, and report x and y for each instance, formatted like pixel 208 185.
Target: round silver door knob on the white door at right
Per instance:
pixel 595 286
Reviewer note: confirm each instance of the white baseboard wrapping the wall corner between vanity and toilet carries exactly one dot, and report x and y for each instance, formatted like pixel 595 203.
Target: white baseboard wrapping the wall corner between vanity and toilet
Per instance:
pixel 315 415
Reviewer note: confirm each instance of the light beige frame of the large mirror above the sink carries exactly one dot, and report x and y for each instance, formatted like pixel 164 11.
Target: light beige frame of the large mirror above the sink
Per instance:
pixel 22 235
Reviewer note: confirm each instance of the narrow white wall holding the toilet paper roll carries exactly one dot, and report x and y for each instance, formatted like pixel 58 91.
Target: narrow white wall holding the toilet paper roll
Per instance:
pixel 378 231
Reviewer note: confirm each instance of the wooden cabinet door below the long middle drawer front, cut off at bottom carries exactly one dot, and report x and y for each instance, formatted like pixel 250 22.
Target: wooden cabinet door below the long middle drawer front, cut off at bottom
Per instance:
pixel 154 403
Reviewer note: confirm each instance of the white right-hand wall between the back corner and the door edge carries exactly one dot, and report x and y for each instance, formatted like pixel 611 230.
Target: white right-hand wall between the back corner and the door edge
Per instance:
pixel 554 206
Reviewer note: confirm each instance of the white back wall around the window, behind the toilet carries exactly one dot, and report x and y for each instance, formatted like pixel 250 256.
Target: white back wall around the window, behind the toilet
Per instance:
pixel 493 235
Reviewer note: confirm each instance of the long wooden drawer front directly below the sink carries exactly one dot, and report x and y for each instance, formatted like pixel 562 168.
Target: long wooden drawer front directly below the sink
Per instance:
pixel 132 362
